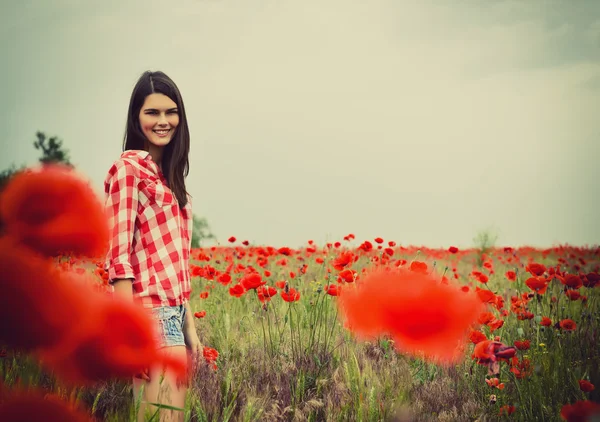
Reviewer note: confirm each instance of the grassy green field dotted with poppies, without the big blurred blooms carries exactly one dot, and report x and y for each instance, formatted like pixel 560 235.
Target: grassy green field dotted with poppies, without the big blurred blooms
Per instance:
pixel 280 360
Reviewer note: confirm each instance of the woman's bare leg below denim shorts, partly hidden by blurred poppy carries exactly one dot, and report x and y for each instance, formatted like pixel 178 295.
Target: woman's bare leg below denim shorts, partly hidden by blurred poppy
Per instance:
pixel 162 388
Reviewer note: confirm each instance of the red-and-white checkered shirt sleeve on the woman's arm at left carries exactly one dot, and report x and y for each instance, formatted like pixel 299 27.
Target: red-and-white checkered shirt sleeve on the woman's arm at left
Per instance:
pixel 121 206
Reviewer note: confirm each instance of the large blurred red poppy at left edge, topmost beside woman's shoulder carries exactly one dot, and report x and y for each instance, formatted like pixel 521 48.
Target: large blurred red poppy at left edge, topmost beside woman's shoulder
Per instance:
pixel 53 210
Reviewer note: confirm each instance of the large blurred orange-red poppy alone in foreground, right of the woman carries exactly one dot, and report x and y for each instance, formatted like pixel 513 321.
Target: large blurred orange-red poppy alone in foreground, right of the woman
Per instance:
pixel 409 306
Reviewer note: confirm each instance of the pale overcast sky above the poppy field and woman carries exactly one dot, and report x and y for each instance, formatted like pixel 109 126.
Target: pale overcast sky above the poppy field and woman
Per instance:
pixel 422 122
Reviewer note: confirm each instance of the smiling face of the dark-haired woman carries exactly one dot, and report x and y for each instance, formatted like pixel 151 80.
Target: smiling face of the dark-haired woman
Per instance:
pixel 159 118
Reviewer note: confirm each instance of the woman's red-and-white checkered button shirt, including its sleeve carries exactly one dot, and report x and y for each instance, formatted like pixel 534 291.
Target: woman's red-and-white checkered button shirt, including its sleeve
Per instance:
pixel 151 236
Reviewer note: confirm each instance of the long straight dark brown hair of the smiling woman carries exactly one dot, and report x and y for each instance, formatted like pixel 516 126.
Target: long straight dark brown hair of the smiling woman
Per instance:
pixel 175 161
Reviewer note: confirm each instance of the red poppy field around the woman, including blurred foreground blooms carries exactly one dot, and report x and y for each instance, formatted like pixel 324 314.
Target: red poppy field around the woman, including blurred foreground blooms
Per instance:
pixel 357 329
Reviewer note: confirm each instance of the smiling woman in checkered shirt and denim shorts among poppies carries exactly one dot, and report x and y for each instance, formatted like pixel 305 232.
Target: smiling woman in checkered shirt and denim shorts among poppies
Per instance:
pixel 148 257
